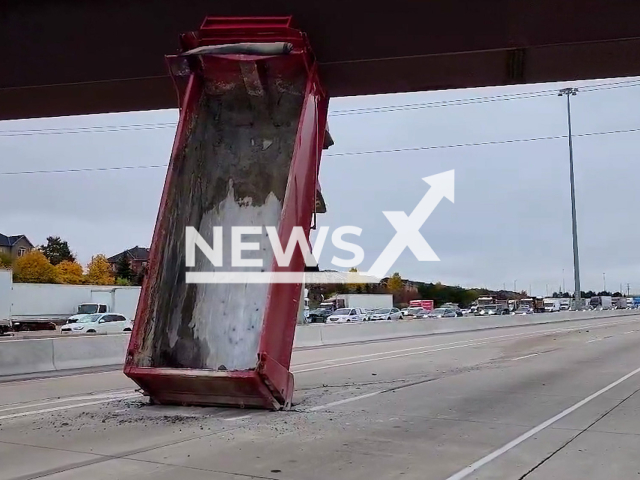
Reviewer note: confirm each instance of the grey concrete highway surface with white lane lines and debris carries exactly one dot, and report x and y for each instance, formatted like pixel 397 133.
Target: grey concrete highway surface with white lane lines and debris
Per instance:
pixel 536 402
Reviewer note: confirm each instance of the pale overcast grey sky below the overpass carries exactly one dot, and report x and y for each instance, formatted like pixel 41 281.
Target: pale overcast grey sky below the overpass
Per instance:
pixel 510 224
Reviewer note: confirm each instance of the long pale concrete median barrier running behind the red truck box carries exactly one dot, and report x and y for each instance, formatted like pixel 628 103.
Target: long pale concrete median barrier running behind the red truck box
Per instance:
pixel 62 353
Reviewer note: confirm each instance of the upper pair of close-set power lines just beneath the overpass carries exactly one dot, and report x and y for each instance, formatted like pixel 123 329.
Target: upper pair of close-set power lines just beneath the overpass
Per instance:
pixel 336 113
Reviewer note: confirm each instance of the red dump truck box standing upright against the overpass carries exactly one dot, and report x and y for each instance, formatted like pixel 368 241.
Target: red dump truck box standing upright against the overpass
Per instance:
pixel 246 154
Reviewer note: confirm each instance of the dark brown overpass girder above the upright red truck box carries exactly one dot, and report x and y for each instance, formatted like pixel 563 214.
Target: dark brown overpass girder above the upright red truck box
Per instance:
pixel 78 57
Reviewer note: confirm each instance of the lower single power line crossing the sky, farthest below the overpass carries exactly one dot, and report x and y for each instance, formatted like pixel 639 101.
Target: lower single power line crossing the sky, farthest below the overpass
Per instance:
pixel 345 154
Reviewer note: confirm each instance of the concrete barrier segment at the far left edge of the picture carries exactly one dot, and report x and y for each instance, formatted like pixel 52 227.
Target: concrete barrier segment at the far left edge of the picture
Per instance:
pixel 19 356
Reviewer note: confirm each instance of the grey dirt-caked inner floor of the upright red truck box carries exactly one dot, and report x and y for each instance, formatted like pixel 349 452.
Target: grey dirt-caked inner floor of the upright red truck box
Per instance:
pixel 233 170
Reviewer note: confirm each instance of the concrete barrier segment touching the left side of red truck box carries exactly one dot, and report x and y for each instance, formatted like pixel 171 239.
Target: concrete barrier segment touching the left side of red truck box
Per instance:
pixel 89 351
